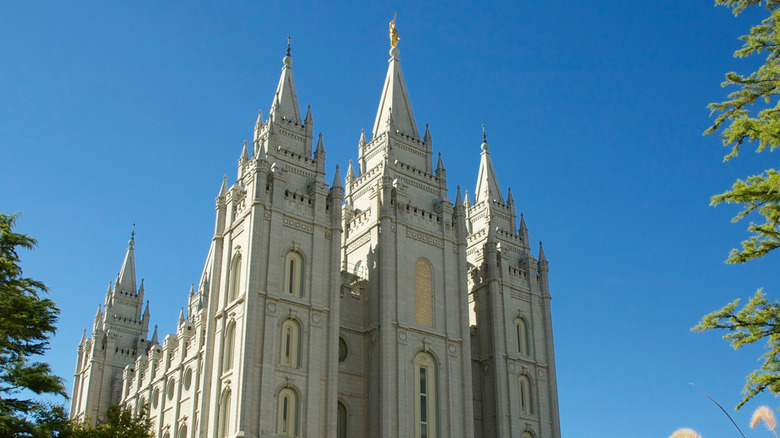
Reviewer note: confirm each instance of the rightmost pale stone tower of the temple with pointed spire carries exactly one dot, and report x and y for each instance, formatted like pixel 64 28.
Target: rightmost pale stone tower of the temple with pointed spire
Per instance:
pixel 515 391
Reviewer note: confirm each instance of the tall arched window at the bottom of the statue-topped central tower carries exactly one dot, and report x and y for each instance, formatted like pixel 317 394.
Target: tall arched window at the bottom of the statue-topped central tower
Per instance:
pixel 425 396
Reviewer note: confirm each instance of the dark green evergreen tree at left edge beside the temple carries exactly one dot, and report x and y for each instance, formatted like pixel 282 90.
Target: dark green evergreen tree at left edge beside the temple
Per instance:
pixel 27 319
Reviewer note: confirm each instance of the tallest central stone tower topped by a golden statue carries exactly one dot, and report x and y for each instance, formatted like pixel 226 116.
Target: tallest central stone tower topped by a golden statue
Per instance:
pixel 405 251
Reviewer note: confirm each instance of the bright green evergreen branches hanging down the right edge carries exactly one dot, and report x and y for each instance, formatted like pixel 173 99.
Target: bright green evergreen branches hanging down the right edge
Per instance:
pixel 759 195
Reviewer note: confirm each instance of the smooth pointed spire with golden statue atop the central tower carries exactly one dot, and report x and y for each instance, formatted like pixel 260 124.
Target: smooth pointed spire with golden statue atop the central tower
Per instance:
pixel 395 96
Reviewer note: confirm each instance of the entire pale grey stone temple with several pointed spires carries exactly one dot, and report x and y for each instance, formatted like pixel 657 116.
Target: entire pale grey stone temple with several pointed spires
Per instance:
pixel 375 306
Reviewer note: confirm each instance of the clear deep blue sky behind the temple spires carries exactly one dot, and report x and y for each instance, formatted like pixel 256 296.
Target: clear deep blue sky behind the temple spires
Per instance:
pixel 120 112
